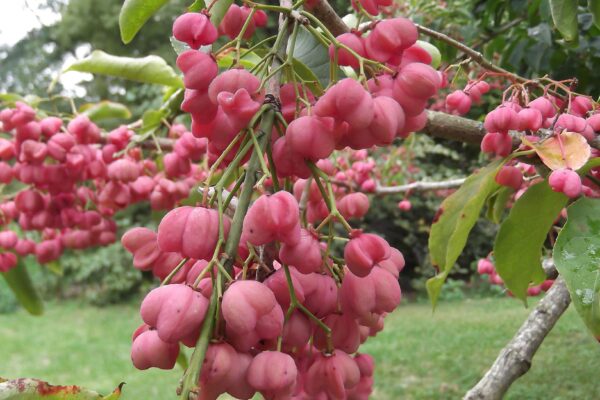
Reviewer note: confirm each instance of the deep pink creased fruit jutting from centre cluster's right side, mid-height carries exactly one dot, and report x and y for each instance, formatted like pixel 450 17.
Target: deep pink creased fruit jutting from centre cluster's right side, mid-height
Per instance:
pixel 364 251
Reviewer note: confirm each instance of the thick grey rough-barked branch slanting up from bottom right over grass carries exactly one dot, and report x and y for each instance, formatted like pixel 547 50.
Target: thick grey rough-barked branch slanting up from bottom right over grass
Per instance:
pixel 515 359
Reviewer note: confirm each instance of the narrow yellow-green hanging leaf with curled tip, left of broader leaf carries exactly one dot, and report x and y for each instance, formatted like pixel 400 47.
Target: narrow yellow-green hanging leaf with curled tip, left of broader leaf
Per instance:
pixel 456 217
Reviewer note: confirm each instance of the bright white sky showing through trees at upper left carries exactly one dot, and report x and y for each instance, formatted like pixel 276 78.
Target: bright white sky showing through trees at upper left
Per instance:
pixel 19 17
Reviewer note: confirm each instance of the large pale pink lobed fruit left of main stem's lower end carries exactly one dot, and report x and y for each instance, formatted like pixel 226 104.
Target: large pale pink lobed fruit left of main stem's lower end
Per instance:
pixel 176 311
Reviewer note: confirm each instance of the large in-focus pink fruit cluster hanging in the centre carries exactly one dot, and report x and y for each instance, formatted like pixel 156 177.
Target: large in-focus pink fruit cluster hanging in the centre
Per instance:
pixel 291 313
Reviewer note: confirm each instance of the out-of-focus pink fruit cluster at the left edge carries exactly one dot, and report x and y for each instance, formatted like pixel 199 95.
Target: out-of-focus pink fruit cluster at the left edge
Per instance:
pixel 65 183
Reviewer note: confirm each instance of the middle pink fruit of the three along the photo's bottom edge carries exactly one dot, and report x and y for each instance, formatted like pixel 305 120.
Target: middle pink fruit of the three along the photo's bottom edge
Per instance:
pixel 273 374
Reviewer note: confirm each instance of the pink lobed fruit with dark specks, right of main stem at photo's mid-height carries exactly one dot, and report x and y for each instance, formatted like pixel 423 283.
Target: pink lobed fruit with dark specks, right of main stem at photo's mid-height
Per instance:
pixel 274 217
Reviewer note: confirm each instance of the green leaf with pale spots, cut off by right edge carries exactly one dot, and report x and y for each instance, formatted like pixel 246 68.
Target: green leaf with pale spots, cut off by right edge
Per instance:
pixel 577 258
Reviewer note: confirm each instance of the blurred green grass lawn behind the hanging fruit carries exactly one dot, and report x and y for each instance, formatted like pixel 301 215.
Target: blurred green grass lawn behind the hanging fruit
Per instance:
pixel 419 355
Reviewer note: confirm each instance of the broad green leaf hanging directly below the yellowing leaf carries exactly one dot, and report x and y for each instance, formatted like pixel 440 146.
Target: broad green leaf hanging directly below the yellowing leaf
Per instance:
pixel 518 246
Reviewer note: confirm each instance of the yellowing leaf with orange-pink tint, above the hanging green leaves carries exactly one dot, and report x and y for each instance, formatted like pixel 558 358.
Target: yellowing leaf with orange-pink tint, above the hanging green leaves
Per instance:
pixel 565 150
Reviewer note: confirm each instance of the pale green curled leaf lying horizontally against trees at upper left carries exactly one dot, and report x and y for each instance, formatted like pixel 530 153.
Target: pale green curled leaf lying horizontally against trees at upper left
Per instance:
pixel 149 69
